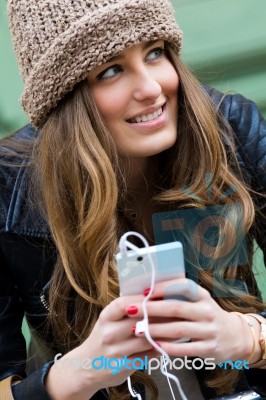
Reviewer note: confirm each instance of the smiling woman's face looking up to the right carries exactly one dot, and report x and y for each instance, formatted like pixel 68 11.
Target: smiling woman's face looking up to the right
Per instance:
pixel 136 95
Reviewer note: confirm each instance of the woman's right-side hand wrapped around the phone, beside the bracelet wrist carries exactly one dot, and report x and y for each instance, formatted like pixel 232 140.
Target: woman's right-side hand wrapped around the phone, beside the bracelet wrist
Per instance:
pixel 213 331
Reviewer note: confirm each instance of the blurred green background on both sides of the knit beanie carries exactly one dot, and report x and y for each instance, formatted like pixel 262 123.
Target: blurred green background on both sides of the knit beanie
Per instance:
pixel 224 44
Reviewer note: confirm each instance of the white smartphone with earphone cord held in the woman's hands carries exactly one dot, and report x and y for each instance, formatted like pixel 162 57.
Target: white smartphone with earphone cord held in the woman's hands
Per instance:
pixel 135 271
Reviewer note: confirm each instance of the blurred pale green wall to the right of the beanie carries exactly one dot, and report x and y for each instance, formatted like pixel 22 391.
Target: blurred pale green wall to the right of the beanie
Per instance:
pixel 225 44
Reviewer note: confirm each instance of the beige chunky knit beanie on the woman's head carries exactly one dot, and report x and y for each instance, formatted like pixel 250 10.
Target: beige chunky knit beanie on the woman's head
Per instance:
pixel 58 42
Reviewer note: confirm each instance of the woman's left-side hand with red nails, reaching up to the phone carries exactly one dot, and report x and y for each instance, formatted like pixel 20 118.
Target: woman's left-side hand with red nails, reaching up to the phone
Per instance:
pixel 112 337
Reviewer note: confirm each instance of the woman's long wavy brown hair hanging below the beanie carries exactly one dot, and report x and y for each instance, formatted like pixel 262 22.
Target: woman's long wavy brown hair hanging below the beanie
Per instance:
pixel 82 186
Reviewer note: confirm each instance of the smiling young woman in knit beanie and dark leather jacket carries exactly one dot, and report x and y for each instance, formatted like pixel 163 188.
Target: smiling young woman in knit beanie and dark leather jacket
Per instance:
pixel 124 133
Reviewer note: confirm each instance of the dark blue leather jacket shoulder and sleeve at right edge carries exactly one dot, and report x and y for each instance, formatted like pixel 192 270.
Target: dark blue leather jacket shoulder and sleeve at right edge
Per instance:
pixel 249 130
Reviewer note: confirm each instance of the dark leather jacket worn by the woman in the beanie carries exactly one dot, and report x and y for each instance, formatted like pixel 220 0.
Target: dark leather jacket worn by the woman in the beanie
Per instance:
pixel 27 253
